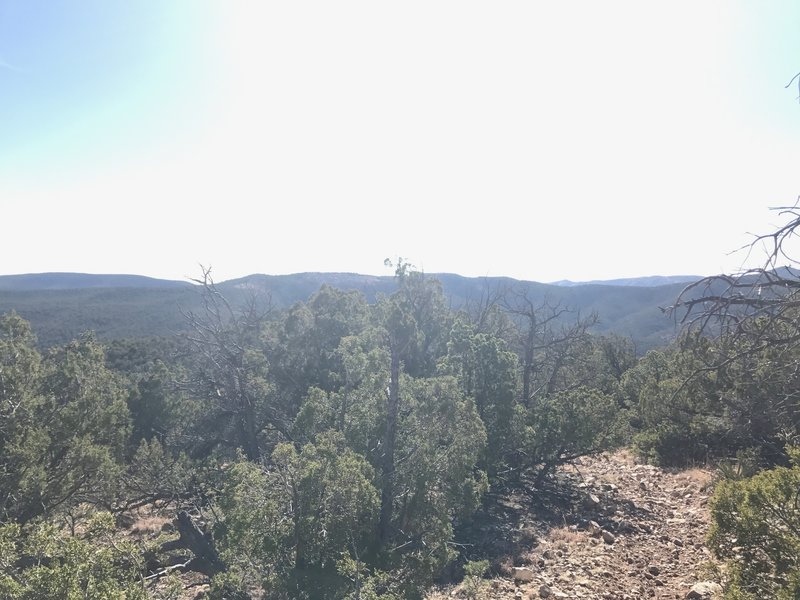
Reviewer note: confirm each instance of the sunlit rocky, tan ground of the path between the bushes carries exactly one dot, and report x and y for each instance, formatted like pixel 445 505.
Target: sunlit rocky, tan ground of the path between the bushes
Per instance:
pixel 624 531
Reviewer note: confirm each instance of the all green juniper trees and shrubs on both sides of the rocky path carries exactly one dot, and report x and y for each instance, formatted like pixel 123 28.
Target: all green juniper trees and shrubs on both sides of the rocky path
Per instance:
pixel 335 448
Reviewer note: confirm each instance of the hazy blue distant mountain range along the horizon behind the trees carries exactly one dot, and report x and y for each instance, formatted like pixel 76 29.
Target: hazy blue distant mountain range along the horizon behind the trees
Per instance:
pixel 62 305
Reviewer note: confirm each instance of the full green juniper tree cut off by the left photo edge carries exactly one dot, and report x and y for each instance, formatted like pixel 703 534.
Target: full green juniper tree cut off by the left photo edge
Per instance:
pixel 64 428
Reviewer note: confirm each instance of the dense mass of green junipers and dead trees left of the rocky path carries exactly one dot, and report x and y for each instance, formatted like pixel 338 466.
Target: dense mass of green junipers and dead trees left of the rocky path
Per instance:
pixel 329 450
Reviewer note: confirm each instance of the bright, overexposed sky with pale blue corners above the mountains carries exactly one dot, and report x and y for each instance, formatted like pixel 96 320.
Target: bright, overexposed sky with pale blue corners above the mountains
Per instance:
pixel 535 139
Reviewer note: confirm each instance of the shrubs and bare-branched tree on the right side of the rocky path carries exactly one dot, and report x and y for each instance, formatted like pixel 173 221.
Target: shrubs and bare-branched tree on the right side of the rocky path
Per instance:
pixel 736 392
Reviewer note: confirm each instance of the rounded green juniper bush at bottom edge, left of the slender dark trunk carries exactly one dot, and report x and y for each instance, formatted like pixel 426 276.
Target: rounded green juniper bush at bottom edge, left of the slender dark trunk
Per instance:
pixel 284 529
